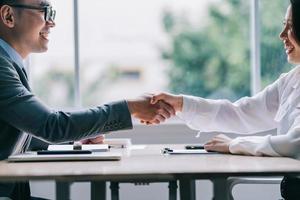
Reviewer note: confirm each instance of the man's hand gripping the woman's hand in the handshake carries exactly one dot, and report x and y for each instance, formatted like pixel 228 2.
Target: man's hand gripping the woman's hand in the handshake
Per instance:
pixel 150 113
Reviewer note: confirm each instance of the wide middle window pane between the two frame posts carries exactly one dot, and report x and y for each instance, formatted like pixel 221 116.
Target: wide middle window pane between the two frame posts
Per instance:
pixel 194 47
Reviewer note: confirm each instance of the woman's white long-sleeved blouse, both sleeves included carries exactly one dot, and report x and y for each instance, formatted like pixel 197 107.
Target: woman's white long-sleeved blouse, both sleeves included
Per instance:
pixel 276 107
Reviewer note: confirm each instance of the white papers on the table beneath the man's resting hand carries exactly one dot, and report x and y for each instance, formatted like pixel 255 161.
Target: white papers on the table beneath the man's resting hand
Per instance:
pixel 91 147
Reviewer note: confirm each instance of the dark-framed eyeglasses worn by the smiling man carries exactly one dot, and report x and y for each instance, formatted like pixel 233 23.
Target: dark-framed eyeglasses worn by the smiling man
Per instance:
pixel 48 11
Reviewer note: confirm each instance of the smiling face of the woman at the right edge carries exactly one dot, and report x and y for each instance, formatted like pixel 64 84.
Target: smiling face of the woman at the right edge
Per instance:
pixel 292 48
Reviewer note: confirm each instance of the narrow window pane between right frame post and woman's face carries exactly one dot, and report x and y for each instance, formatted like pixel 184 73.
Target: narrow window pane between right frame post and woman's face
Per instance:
pixel 273 57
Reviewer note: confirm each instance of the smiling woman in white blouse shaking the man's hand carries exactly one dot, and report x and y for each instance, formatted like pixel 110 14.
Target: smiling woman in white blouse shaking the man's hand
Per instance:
pixel 276 107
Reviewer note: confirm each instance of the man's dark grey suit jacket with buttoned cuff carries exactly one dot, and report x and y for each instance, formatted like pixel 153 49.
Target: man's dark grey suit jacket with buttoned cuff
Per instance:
pixel 20 110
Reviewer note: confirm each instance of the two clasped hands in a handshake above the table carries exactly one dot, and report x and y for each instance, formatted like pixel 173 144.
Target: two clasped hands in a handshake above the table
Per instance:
pixel 155 108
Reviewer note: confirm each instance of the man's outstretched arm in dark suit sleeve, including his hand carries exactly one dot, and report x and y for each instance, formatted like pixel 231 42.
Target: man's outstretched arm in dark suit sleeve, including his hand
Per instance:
pixel 24 111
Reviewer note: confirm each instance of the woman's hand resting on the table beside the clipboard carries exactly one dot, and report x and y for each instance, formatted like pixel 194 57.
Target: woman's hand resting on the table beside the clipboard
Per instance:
pixel 219 143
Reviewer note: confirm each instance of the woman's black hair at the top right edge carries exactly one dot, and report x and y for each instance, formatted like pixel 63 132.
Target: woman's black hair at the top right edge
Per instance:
pixel 295 5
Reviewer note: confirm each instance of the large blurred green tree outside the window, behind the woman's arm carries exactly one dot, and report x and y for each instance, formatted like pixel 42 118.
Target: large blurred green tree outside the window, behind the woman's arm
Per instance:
pixel 214 59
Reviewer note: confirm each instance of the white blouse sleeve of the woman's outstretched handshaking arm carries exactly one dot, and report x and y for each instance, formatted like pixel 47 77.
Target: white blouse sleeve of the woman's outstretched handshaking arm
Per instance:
pixel 245 116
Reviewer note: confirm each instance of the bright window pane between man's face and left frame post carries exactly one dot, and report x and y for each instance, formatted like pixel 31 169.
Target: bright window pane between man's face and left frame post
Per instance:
pixel 52 73
